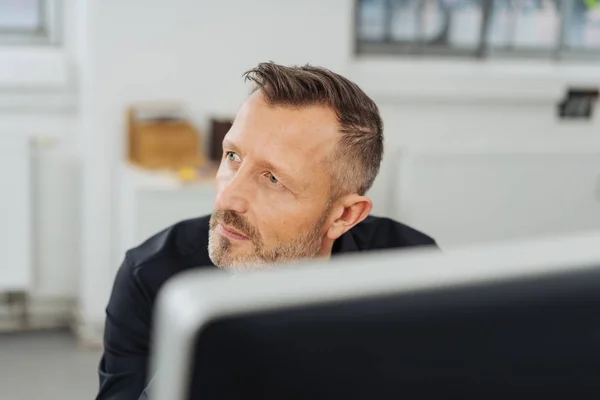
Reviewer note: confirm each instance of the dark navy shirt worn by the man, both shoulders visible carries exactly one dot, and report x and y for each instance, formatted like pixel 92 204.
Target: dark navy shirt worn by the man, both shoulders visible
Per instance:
pixel 124 365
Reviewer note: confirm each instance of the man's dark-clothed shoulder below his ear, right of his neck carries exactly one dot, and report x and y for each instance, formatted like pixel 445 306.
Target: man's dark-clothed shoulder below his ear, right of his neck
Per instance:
pixel 386 233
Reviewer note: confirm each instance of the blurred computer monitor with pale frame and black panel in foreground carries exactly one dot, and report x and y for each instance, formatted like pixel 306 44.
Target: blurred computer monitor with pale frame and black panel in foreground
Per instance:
pixel 517 320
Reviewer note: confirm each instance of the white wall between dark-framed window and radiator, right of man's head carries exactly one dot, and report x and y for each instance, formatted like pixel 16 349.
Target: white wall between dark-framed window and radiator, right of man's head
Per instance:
pixel 477 103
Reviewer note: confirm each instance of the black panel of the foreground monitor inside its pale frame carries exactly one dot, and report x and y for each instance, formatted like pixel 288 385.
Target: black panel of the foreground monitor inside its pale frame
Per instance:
pixel 534 336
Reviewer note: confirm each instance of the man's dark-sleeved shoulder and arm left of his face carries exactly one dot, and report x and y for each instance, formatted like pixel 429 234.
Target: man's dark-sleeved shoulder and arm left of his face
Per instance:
pixel 129 312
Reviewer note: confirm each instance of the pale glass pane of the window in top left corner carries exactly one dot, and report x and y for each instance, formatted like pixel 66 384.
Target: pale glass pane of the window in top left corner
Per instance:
pixel 19 15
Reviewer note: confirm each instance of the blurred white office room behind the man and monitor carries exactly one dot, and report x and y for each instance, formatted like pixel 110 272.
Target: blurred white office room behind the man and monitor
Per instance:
pixel 491 127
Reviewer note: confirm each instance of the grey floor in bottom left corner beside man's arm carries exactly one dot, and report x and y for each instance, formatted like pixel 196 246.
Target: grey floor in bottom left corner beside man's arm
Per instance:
pixel 46 365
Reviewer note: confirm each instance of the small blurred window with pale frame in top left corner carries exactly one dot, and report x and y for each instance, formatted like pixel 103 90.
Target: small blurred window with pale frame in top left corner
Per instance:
pixel 28 22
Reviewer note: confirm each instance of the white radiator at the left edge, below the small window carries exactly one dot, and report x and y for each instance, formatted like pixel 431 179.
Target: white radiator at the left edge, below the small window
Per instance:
pixel 15 214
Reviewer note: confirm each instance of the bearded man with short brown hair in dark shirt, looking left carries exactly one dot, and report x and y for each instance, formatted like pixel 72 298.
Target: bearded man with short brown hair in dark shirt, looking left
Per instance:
pixel 303 150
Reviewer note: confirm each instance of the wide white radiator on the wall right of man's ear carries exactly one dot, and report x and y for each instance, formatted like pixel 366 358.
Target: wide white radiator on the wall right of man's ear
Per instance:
pixel 462 196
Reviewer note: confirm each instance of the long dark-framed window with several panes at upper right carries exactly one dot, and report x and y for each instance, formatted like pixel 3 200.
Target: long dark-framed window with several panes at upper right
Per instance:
pixel 479 28
